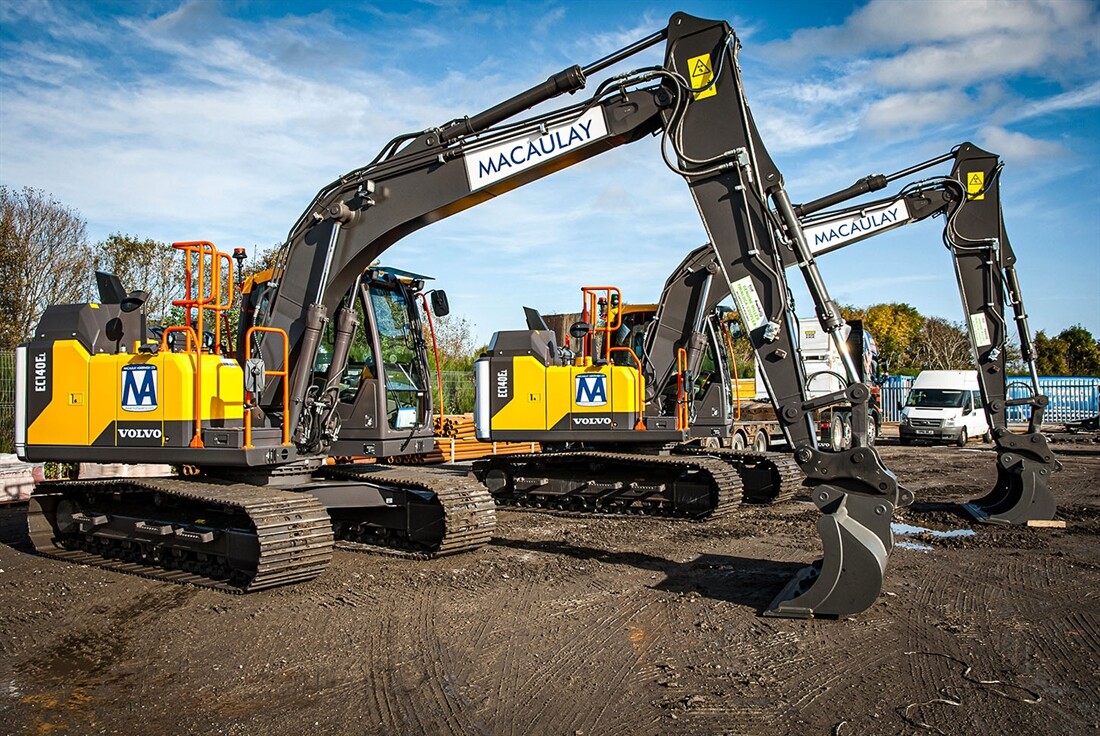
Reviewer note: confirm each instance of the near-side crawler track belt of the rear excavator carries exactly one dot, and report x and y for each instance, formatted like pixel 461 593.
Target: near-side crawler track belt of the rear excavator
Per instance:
pixel 728 481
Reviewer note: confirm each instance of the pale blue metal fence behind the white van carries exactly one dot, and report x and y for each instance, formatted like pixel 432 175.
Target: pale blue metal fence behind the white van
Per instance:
pixel 1072 398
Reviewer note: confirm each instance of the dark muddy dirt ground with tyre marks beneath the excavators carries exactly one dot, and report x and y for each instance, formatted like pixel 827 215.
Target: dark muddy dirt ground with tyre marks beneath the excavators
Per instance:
pixel 587 627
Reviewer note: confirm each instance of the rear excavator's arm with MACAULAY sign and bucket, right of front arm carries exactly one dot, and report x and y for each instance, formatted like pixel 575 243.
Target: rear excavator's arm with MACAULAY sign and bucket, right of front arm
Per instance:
pixel 985 267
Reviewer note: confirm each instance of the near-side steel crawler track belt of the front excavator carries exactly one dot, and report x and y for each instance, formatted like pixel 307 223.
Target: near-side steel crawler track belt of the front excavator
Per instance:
pixel 293 531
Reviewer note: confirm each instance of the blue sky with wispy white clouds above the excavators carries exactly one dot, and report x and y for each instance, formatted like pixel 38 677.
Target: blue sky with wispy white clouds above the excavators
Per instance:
pixel 221 120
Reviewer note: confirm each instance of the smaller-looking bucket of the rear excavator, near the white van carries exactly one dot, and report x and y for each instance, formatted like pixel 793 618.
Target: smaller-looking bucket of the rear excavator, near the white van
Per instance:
pixel 1022 492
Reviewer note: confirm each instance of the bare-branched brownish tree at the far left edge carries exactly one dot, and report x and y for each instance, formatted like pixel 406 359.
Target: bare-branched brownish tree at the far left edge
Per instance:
pixel 45 260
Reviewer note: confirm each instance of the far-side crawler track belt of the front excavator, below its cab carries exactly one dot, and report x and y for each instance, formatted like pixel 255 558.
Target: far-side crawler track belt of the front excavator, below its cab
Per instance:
pixel 469 512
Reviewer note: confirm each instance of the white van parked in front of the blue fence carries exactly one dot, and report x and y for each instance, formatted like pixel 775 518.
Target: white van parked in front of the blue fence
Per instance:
pixel 944 407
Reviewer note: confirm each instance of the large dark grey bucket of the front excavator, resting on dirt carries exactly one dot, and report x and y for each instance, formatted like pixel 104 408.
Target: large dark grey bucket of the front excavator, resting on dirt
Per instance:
pixel 857 541
